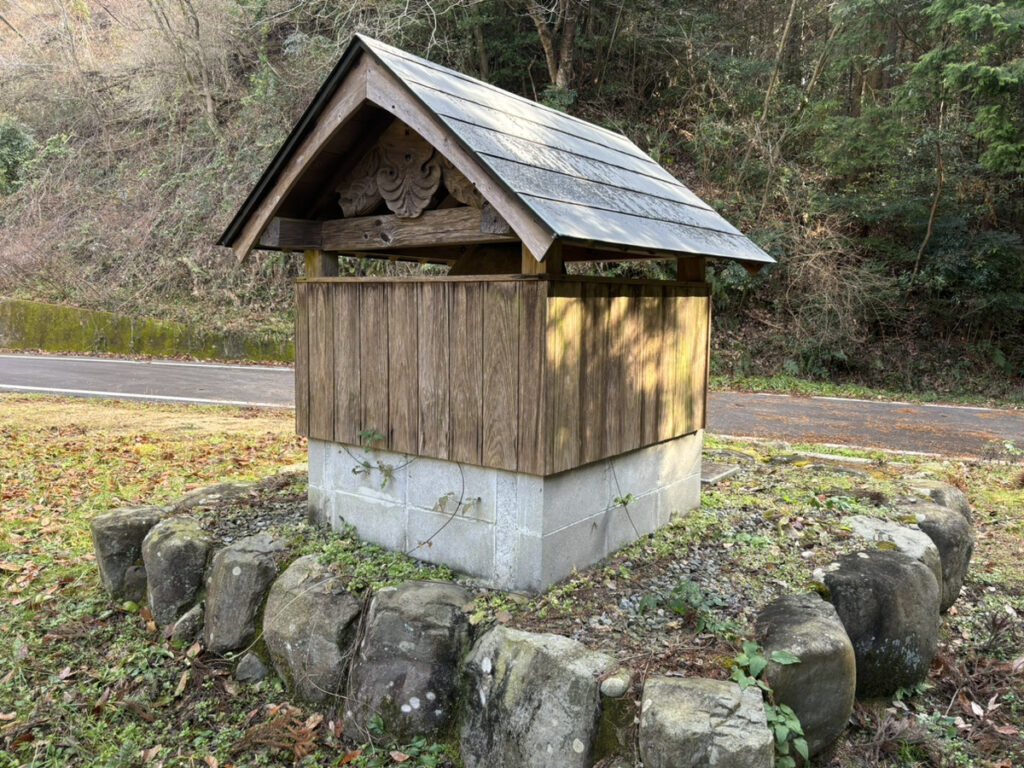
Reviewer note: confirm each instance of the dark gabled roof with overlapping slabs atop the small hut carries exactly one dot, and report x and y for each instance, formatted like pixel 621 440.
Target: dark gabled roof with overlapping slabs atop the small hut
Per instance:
pixel 572 181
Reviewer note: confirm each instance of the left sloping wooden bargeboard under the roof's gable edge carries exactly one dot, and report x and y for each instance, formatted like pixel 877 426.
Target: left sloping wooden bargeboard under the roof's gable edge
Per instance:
pixel 343 107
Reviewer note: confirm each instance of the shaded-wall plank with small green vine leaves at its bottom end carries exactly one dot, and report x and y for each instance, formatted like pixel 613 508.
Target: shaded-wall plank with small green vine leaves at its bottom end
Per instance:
pixel 374 361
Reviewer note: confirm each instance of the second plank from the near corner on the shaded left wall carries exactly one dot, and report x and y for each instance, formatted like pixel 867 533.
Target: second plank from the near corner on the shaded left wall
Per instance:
pixel 501 375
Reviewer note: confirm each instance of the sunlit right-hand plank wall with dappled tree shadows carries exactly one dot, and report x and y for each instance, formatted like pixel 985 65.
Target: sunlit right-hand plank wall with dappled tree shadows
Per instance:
pixel 627 367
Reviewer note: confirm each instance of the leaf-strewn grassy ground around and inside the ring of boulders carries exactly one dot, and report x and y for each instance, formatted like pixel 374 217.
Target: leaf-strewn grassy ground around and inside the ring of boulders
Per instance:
pixel 86 681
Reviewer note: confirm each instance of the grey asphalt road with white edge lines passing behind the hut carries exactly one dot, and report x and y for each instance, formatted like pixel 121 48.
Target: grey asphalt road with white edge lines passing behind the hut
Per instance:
pixel 950 431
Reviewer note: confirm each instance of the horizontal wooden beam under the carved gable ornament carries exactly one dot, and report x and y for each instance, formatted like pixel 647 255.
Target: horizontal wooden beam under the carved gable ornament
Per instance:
pixel 449 227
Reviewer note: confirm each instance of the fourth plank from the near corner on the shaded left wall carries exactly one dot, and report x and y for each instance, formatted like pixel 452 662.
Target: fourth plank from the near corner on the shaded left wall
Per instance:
pixel 434 370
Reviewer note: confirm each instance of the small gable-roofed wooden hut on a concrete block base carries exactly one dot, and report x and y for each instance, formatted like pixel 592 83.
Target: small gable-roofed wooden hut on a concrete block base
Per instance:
pixel 507 419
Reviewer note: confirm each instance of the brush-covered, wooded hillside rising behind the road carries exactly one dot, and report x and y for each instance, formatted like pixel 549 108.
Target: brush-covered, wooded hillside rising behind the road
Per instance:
pixel 876 150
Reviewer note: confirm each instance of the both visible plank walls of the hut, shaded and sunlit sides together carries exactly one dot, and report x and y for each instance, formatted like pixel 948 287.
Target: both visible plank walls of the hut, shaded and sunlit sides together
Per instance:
pixel 534 376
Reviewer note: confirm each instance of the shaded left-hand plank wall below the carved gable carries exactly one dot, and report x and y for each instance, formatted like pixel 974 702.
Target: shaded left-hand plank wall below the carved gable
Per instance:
pixel 434 367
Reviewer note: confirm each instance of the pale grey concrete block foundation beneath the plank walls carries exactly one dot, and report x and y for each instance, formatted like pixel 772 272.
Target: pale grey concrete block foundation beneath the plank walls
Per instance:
pixel 513 531
